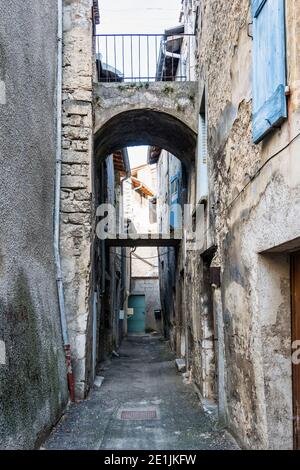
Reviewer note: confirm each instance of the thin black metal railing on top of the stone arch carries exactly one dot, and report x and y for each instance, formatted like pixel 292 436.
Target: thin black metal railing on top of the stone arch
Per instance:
pixel 135 58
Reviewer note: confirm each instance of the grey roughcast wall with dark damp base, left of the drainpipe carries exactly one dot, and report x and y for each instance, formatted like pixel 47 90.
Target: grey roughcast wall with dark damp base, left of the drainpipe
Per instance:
pixel 33 388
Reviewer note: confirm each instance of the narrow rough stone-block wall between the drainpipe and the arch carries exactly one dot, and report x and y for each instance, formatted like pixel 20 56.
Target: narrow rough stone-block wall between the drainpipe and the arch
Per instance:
pixel 76 217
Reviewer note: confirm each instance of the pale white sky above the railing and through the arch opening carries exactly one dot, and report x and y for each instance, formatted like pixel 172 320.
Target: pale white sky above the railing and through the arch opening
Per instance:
pixel 134 17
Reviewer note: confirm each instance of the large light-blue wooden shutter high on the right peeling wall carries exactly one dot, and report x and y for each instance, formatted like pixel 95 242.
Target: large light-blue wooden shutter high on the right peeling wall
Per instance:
pixel 269 66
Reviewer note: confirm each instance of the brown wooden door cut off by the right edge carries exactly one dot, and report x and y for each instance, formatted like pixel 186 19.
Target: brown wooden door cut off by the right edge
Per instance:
pixel 295 268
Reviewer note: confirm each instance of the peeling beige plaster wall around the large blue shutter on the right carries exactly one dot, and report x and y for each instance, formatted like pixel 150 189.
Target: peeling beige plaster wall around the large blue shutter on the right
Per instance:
pixel 255 287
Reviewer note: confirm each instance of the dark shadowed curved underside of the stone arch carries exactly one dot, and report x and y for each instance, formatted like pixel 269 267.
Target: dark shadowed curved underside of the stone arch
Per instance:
pixel 146 127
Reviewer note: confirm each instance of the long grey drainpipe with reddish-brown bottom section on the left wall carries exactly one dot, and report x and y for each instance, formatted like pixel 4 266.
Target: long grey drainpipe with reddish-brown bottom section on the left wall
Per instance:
pixel 60 289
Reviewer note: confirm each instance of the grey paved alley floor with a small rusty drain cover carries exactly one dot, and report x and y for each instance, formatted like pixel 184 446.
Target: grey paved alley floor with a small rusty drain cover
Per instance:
pixel 142 404
